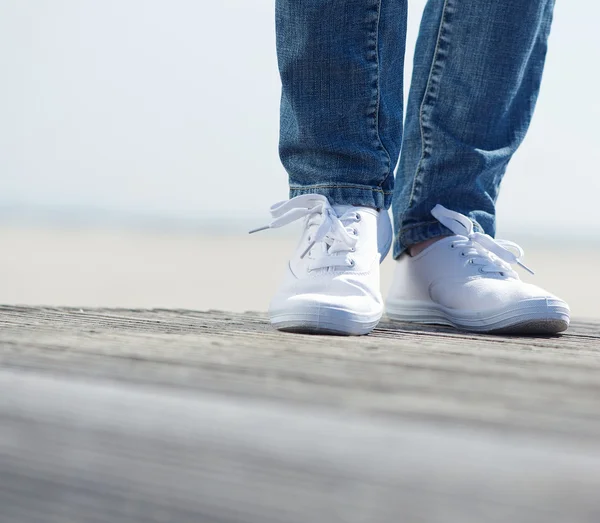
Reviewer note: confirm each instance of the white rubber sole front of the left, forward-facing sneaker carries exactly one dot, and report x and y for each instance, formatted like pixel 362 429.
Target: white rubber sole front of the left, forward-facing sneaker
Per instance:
pixel 324 321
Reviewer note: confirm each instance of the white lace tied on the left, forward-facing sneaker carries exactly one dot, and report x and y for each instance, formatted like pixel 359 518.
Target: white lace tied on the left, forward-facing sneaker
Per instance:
pixel 338 238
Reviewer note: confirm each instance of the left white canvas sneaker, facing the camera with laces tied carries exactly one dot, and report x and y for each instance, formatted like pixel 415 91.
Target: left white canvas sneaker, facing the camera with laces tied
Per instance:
pixel 332 280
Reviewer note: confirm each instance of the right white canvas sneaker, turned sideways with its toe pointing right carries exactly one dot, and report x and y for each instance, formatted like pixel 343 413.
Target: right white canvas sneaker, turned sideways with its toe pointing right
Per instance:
pixel 466 281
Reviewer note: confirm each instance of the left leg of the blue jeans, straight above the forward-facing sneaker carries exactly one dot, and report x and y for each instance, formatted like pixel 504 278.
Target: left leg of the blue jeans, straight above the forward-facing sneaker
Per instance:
pixel 341 65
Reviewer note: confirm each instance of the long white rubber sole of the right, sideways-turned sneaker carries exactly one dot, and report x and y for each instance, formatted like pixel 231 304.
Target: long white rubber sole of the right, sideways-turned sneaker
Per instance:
pixel 533 316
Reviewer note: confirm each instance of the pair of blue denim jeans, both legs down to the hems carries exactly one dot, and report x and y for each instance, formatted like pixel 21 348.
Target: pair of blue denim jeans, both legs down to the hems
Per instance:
pixel 477 72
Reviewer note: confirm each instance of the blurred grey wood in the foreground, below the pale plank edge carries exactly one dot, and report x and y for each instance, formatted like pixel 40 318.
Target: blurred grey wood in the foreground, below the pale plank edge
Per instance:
pixel 81 451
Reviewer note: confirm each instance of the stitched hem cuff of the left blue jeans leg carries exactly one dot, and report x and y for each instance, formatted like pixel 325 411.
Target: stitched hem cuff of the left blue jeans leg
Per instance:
pixel 359 195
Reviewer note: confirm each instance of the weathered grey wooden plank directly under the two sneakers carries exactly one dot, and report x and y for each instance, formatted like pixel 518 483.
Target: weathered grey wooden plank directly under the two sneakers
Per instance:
pixel 551 383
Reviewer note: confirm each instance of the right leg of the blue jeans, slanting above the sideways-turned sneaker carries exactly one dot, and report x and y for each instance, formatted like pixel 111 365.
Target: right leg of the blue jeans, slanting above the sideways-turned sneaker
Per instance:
pixel 477 72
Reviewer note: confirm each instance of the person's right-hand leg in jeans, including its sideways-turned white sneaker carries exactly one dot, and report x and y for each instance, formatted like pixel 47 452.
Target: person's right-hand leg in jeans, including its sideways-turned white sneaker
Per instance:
pixel 478 68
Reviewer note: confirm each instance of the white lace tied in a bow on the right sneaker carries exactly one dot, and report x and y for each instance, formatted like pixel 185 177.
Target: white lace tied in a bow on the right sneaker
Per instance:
pixel 494 256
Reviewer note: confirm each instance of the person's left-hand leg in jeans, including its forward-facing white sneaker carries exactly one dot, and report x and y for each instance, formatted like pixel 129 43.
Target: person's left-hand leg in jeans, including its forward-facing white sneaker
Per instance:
pixel 341 64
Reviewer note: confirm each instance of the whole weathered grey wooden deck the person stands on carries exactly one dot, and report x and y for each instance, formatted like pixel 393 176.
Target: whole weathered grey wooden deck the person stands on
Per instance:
pixel 181 416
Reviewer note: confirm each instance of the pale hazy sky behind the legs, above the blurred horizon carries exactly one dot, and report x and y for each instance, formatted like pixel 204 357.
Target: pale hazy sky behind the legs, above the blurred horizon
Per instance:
pixel 171 107
